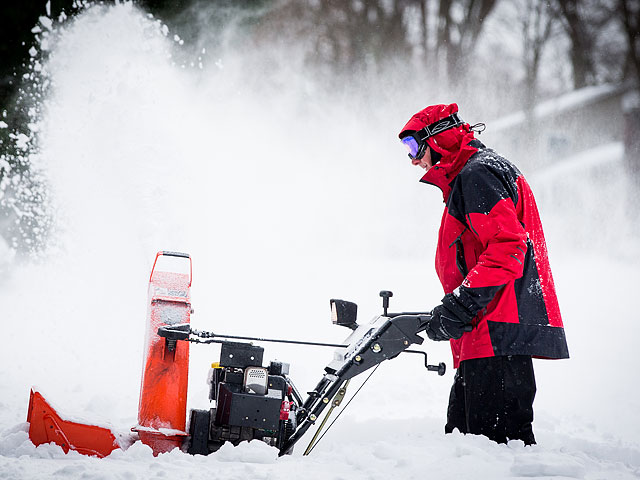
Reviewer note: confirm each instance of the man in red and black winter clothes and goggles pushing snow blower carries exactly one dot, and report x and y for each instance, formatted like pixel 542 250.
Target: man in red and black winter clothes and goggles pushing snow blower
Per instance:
pixel 500 307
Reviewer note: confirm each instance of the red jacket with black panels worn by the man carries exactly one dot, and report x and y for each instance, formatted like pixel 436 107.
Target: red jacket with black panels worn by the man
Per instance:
pixel 491 248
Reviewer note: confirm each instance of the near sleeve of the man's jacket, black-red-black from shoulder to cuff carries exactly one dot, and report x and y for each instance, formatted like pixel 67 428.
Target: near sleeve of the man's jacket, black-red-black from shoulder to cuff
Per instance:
pixel 489 204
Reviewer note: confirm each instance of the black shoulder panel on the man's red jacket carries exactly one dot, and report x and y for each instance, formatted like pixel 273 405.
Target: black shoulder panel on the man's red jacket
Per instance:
pixel 486 179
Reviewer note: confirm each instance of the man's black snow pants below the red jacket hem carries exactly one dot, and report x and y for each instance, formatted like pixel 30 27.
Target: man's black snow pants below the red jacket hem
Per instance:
pixel 494 397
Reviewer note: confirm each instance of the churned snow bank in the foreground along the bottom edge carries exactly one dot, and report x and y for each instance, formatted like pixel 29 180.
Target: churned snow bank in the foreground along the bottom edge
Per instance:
pixel 364 451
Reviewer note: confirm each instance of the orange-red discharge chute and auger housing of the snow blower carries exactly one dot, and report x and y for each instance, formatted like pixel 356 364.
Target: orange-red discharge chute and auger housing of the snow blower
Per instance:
pixel 162 408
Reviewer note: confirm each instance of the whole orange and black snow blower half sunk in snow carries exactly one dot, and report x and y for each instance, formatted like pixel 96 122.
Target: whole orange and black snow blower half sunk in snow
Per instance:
pixel 249 401
